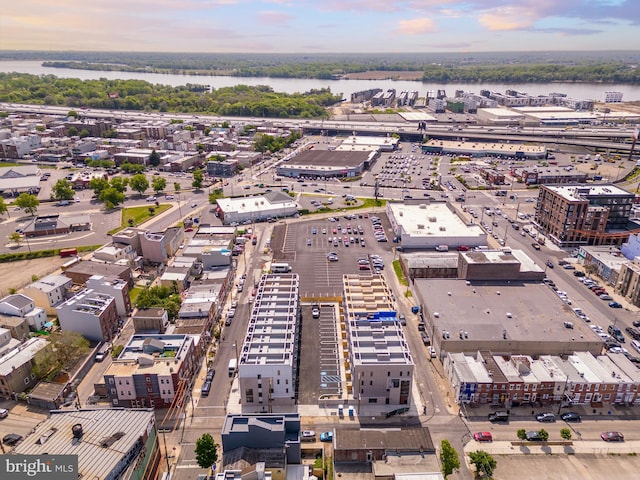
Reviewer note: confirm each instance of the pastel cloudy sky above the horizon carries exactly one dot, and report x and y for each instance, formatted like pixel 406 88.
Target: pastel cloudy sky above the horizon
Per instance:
pixel 318 26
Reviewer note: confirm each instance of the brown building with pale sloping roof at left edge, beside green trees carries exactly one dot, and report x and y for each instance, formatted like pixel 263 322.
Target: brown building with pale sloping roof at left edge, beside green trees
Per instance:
pixel 16 366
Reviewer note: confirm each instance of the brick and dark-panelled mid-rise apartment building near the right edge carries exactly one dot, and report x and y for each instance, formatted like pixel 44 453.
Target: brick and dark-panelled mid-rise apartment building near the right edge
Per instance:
pixel 584 215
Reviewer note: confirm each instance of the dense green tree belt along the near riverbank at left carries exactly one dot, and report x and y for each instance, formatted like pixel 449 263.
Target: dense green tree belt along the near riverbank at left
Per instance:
pixel 239 100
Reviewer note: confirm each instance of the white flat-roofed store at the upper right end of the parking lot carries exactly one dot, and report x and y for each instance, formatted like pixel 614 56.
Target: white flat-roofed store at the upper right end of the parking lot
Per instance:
pixel 428 225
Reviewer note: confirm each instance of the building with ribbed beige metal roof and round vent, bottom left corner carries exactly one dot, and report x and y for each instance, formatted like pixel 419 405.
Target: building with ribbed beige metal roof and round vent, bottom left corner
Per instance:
pixel 109 443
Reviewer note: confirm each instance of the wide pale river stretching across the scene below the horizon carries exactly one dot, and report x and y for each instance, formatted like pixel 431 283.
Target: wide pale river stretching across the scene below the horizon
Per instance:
pixel 582 91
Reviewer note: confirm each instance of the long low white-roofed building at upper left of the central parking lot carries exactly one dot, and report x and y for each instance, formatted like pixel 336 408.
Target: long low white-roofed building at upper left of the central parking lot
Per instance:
pixel 257 208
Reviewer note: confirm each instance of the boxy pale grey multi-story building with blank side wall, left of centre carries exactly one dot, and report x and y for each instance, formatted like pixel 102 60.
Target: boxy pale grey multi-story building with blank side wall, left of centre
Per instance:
pixel 92 314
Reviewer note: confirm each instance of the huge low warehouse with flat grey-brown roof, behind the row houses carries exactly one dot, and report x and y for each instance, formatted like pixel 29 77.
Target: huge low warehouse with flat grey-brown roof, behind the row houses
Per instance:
pixel 508 317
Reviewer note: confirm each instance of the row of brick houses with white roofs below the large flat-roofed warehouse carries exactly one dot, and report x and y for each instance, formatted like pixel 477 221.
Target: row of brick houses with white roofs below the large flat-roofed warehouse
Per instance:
pixel 580 379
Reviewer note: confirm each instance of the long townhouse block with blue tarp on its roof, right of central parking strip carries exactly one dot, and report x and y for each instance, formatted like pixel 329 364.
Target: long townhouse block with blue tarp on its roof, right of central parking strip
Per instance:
pixel 379 359
